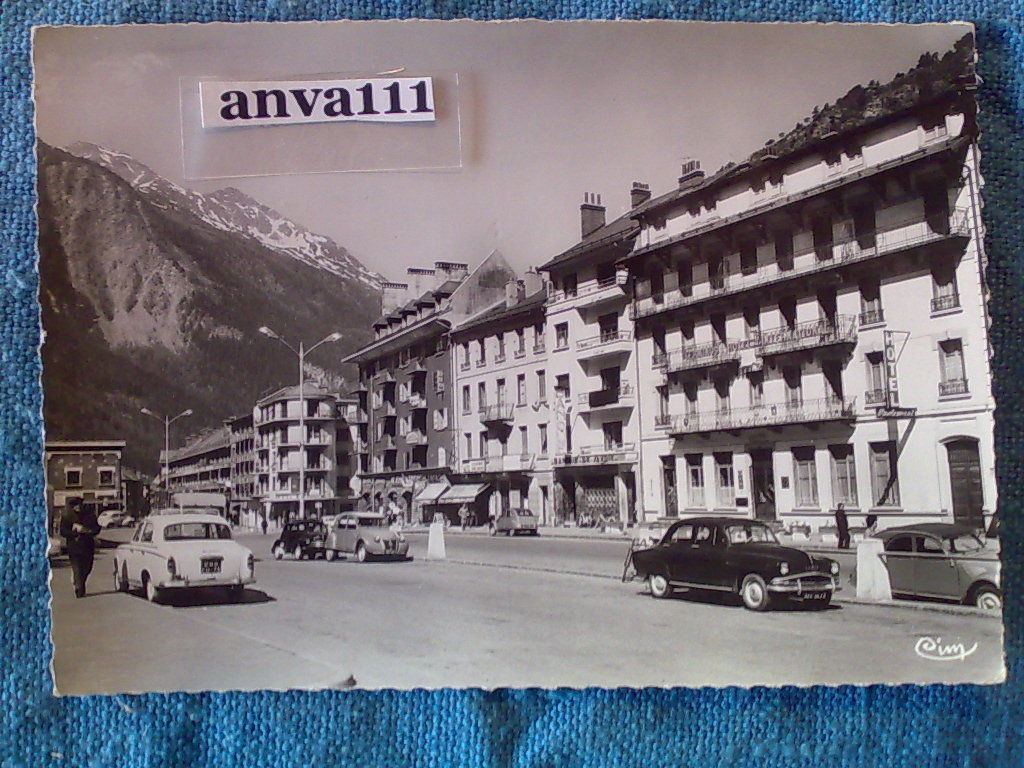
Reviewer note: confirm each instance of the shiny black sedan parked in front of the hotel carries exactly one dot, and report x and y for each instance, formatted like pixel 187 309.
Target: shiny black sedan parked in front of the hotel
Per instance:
pixel 739 557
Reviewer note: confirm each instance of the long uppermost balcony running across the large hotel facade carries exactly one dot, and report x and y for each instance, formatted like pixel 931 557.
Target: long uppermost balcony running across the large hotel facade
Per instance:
pixel 910 235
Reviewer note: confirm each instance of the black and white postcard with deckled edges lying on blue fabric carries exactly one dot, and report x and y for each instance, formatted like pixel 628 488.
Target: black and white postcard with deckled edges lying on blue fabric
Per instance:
pixel 429 355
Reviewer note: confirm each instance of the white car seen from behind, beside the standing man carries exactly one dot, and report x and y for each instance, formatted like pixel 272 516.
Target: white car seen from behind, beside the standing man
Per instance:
pixel 185 551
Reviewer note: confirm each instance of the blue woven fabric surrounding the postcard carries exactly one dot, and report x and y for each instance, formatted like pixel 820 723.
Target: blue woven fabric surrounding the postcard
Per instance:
pixel 878 727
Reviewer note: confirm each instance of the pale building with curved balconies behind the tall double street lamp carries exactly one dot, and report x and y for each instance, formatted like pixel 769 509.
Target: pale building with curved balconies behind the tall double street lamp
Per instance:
pixel 297 455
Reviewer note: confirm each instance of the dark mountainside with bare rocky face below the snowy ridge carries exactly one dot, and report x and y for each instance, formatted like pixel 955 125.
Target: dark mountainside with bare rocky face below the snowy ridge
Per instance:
pixel 149 303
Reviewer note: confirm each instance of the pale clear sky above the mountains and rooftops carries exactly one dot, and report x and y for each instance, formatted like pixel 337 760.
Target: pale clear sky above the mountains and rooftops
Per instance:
pixel 549 111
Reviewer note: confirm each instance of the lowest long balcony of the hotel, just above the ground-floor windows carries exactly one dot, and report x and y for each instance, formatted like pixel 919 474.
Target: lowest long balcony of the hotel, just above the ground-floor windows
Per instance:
pixel 767 415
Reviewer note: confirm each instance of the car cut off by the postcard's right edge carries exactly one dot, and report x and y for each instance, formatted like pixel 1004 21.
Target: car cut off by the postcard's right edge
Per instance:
pixel 943 562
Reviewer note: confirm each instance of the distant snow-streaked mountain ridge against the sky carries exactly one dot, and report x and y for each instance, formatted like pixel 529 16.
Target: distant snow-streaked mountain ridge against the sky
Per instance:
pixel 233 211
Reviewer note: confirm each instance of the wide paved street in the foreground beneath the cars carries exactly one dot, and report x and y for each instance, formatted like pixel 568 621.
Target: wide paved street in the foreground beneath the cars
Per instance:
pixel 552 614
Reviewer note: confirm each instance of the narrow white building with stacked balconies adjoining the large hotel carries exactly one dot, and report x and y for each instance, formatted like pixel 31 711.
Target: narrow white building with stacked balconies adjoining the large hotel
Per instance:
pixel 592 370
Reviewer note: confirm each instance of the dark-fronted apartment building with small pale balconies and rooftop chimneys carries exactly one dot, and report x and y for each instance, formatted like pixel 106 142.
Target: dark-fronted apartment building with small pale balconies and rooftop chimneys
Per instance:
pixel 405 436
